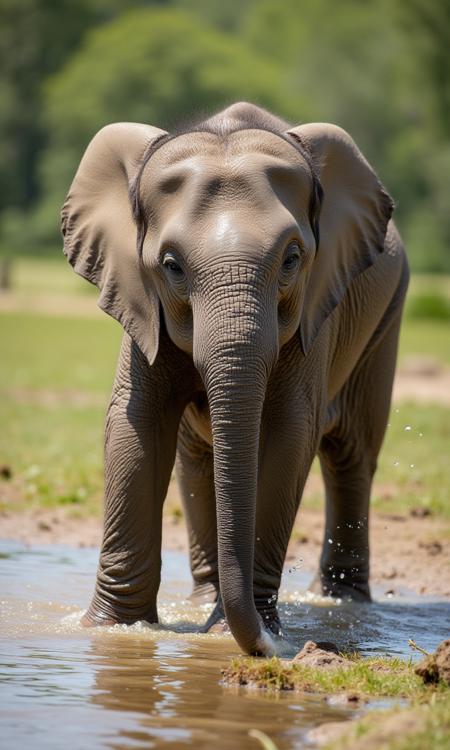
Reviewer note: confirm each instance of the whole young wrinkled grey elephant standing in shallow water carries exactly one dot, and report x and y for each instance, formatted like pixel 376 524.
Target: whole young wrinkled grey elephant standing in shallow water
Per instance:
pixel 250 346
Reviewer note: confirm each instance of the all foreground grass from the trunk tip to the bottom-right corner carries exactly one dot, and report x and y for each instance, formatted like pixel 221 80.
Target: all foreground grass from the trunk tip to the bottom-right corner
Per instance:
pixel 424 724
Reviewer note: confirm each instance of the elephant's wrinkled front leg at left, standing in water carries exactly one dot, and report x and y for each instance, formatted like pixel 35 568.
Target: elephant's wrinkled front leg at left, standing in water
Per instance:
pixel 140 444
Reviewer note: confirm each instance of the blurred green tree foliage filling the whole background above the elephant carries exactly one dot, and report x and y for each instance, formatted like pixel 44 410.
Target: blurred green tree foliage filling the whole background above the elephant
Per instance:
pixel 380 69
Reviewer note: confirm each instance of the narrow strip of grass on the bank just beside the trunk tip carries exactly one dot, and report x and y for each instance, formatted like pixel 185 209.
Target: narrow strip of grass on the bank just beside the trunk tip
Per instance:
pixel 376 676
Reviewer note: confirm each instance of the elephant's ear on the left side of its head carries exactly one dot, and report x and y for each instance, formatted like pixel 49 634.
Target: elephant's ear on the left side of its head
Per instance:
pixel 100 234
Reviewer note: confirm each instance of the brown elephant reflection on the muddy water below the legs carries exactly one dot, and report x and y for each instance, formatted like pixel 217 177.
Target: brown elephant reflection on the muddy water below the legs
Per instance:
pixel 177 694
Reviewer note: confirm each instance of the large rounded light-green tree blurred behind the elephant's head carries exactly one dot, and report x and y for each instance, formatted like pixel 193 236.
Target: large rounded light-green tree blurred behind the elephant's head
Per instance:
pixel 155 66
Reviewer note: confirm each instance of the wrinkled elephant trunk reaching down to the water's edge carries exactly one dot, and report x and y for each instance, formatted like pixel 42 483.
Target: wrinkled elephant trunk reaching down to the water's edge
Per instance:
pixel 235 359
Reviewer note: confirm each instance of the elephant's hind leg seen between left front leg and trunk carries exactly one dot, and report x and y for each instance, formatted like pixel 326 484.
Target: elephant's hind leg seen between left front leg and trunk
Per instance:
pixel 195 476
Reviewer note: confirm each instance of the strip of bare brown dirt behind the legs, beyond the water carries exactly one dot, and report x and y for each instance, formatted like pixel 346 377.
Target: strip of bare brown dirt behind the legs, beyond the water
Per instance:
pixel 406 551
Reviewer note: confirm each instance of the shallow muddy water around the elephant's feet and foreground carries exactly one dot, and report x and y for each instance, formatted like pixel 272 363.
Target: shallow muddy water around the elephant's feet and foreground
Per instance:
pixel 139 687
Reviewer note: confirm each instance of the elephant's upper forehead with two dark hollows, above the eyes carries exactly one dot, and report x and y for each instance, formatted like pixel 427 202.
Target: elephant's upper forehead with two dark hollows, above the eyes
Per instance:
pixel 201 170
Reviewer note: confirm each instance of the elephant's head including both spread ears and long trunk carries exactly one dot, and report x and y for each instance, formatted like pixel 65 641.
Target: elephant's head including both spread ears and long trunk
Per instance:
pixel 213 234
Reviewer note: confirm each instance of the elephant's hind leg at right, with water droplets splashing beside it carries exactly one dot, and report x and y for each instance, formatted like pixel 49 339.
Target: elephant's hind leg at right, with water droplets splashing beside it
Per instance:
pixel 348 456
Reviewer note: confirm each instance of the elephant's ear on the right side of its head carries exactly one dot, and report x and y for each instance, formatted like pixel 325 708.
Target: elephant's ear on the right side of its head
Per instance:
pixel 353 221
